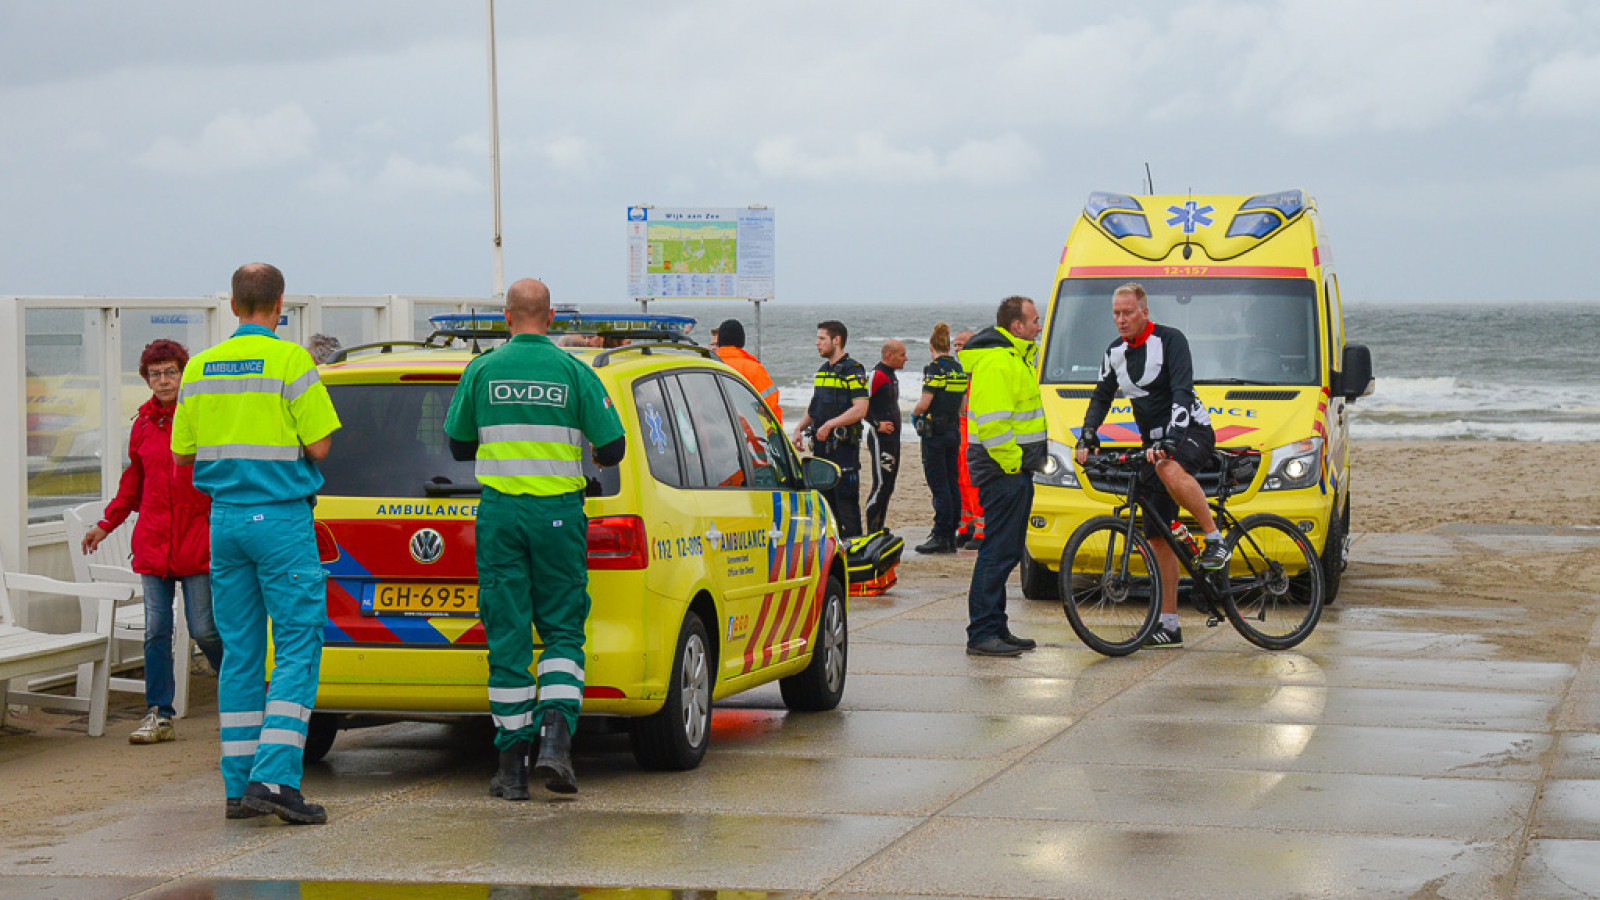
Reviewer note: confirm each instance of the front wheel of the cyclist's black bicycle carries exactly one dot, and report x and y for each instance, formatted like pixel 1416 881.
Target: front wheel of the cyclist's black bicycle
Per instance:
pixel 1110 587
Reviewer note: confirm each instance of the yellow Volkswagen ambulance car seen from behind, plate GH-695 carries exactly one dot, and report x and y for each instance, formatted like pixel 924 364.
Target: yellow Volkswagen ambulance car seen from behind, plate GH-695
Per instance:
pixel 714 565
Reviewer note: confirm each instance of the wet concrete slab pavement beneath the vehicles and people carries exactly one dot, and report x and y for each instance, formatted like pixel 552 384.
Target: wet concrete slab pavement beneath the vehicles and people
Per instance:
pixel 1396 753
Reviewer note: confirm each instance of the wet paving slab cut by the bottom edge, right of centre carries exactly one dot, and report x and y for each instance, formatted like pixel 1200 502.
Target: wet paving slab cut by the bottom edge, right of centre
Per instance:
pixel 985 858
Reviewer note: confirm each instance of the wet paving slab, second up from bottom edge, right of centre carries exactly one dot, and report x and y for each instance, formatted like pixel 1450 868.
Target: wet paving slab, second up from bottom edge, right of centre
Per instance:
pixel 1281 802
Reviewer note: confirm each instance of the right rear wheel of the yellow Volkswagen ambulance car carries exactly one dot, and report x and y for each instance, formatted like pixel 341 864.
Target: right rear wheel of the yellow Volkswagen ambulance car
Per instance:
pixel 674 739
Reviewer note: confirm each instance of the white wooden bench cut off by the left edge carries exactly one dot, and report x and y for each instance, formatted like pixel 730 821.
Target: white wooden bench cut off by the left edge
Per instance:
pixel 25 653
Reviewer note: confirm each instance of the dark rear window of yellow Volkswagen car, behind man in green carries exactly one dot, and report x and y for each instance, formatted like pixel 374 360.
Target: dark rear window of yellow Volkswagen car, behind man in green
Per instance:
pixel 393 444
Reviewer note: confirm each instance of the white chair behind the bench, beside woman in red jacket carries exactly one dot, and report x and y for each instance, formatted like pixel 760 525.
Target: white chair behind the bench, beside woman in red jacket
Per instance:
pixel 111 565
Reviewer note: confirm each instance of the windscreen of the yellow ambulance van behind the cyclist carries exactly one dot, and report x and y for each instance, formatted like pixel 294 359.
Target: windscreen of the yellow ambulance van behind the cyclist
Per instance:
pixel 1241 331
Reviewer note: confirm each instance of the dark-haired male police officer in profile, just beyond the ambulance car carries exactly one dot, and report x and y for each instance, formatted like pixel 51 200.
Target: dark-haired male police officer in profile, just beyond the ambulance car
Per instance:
pixel 839 403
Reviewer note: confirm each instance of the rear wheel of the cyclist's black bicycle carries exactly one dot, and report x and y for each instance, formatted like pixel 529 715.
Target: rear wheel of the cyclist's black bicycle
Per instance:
pixel 1274 590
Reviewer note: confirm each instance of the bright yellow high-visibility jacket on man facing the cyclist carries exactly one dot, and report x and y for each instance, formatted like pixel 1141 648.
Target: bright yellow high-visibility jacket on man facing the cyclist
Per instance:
pixel 1006 417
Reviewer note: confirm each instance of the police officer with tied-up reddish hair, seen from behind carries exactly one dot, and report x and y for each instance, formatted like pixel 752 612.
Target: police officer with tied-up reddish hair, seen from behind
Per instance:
pixel 938 424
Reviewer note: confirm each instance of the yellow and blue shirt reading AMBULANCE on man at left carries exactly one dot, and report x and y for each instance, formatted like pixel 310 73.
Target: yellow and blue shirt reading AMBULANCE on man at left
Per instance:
pixel 246 411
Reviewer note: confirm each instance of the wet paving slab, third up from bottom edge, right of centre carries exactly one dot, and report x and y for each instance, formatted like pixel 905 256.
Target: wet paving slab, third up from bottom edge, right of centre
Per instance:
pixel 1265 747
